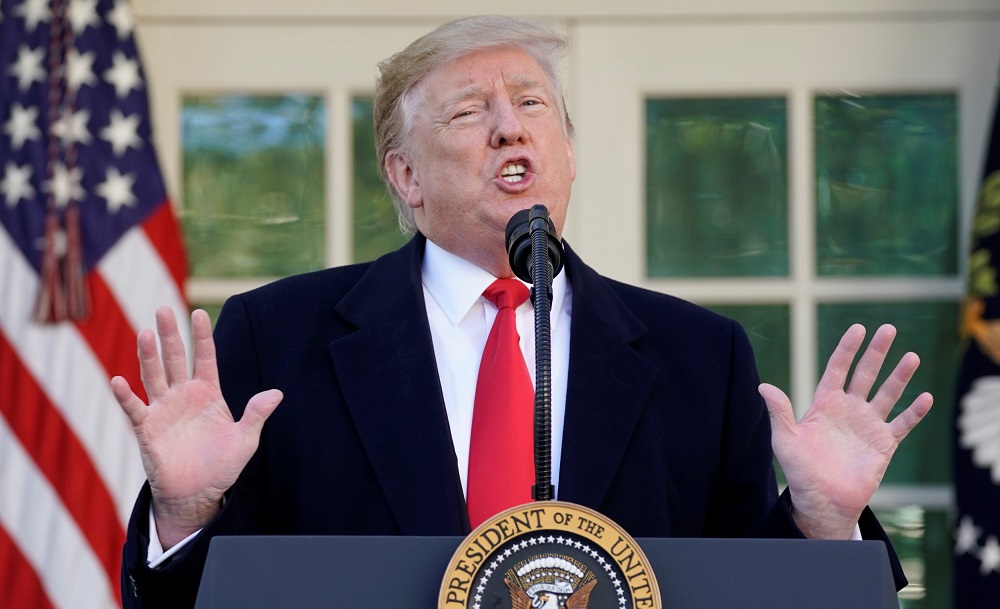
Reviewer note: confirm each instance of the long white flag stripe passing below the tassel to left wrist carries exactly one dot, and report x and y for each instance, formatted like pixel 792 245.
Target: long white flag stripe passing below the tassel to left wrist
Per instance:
pixel 63 365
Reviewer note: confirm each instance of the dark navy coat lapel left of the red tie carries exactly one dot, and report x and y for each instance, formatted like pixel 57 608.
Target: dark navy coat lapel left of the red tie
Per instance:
pixel 391 384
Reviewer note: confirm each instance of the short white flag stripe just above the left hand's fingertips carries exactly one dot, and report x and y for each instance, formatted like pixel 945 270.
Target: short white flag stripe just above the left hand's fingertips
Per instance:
pixel 141 282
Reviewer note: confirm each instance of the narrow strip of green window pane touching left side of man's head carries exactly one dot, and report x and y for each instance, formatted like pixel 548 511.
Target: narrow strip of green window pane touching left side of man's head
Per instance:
pixel 376 229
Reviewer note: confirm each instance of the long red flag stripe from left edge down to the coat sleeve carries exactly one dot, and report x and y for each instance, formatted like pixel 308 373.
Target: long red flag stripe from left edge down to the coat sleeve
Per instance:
pixel 57 452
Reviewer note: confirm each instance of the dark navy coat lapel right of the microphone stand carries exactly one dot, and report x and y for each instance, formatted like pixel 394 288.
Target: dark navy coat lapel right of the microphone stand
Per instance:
pixel 609 383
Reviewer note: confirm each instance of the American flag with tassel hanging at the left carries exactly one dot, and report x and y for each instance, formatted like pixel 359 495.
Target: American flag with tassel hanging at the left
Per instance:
pixel 89 247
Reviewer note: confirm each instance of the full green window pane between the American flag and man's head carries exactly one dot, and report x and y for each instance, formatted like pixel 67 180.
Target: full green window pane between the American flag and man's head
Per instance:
pixel 254 185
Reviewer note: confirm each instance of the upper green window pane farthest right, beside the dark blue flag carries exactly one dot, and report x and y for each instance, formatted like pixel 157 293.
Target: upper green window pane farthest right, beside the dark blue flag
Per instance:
pixel 886 185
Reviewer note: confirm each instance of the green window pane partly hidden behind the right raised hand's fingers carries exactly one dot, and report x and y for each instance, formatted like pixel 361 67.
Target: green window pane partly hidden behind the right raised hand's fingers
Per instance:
pixel 929 330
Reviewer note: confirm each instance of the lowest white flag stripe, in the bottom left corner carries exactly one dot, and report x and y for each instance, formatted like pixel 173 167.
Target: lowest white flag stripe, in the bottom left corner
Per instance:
pixel 49 539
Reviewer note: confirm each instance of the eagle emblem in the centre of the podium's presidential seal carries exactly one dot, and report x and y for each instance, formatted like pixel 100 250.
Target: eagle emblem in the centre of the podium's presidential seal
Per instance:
pixel 549 581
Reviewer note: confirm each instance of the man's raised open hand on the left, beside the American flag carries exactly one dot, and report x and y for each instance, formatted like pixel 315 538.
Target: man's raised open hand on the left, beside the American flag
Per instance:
pixel 191 448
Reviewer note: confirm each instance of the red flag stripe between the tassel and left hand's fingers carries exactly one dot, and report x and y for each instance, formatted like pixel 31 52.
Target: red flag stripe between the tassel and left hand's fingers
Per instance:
pixel 110 335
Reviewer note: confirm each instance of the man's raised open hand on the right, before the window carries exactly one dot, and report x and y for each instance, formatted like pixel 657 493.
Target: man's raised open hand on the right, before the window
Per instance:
pixel 836 456
